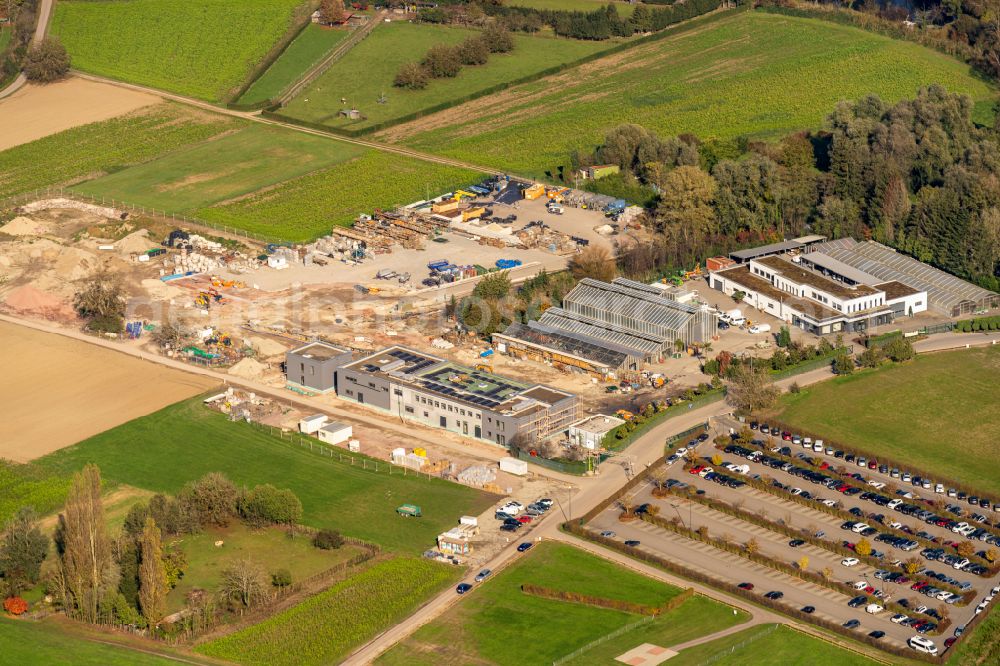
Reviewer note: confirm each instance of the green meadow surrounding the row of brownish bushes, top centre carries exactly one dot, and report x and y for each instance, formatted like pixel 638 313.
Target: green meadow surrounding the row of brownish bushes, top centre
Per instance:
pixel 368 70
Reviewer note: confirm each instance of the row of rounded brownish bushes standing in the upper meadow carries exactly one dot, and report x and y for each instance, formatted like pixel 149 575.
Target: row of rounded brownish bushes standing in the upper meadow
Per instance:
pixel 446 61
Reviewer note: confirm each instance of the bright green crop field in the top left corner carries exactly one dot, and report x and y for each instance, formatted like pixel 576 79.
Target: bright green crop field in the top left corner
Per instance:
pixel 204 49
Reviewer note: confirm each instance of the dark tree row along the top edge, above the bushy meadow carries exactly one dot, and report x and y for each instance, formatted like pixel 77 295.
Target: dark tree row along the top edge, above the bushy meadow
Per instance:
pixel 600 24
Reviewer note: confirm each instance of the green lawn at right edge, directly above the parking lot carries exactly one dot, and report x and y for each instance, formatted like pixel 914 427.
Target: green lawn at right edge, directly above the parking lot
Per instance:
pixel 938 412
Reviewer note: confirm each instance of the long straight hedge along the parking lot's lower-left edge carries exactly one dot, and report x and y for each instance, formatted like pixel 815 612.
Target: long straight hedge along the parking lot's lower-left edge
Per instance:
pixel 730 588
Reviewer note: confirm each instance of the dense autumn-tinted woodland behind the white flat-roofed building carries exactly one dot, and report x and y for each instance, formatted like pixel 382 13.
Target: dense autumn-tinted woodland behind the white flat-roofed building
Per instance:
pixel 919 176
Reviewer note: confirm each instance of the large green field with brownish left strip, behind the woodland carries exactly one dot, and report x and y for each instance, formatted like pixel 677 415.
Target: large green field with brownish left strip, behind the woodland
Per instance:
pixel 744 74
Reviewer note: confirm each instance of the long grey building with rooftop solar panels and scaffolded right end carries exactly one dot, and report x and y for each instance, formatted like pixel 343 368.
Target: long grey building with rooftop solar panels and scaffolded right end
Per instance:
pixel 474 403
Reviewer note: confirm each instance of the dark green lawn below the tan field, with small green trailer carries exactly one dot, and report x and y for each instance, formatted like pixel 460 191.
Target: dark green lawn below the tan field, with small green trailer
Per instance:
pixel 163 451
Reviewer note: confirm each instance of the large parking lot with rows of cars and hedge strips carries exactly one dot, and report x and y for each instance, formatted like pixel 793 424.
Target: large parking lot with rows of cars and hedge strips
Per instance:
pixel 908 537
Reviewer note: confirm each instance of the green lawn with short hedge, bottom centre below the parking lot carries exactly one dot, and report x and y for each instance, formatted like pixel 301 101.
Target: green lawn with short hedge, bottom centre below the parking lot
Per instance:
pixel 499 624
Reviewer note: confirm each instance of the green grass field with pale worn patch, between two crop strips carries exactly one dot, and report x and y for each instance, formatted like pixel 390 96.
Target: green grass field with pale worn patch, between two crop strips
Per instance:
pixel 257 156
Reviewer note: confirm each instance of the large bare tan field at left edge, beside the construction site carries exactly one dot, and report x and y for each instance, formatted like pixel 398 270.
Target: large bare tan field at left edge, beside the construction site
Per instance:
pixel 57 391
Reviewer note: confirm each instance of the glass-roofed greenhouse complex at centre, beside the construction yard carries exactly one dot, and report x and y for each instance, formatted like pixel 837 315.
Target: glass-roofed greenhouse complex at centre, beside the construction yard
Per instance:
pixel 604 328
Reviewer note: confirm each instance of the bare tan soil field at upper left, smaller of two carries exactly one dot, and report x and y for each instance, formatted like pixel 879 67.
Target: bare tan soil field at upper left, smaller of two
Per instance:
pixel 35 112
